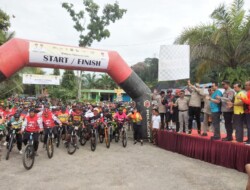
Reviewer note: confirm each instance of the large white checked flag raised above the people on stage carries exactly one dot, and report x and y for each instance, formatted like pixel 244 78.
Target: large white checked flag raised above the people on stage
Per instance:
pixel 174 62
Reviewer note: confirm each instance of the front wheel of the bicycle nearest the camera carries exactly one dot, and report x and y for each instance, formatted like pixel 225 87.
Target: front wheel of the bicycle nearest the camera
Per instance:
pixel 28 157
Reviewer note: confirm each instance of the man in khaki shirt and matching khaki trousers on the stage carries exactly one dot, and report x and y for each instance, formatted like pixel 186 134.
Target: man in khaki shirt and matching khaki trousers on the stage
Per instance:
pixel 182 104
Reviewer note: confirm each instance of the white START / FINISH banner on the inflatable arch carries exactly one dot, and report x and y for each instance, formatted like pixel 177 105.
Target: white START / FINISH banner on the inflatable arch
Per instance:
pixel 67 56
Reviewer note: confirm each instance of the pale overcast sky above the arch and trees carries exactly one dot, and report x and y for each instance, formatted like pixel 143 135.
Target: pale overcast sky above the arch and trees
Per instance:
pixel 146 26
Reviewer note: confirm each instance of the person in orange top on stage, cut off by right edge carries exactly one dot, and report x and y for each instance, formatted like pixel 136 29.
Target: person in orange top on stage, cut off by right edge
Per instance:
pixel 246 101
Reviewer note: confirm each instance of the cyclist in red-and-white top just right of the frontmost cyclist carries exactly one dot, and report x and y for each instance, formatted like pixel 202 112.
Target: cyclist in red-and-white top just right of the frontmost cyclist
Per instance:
pixel 48 120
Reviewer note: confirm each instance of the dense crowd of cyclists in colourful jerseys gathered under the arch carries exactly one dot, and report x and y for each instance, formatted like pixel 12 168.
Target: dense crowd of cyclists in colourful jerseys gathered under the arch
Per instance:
pixel 40 115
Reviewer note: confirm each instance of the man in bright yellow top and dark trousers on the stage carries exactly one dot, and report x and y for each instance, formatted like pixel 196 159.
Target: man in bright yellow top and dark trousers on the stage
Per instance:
pixel 238 107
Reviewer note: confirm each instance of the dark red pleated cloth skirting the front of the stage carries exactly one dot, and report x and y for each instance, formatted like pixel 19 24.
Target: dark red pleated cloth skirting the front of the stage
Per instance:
pixel 228 154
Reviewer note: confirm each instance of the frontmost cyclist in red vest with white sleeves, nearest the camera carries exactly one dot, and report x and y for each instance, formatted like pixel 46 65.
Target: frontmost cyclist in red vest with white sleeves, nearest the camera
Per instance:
pixel 32 124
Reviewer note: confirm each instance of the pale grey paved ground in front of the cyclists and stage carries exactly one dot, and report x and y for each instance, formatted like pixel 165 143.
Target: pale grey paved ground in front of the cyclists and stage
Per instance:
pixel 135 167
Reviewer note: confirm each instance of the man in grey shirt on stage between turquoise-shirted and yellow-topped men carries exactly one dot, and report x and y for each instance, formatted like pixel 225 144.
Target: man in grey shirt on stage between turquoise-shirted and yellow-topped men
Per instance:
pixel 228 95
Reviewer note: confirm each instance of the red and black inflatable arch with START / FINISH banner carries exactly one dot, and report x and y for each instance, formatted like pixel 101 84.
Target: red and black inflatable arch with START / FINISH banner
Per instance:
pixel 18 53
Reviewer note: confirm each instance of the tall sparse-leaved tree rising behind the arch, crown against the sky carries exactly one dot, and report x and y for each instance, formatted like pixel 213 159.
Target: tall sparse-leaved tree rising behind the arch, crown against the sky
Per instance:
pixel 91 25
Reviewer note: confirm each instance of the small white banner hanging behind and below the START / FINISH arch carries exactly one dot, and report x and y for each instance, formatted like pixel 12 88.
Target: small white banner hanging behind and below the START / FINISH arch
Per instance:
pixel 41 79
